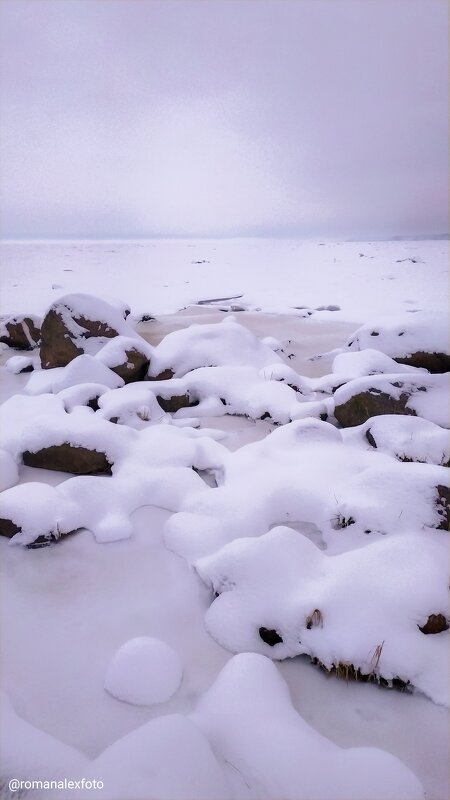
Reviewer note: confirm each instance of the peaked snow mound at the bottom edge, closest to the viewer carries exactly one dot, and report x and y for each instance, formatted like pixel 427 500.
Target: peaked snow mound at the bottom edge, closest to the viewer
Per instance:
pixel 246 741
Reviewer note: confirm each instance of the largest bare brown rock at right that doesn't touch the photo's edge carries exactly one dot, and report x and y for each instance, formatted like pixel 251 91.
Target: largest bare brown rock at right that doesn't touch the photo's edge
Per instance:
pixel 360 407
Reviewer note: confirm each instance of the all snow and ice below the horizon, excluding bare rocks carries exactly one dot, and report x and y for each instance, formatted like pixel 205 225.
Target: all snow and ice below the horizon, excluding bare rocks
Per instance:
pixel 99 701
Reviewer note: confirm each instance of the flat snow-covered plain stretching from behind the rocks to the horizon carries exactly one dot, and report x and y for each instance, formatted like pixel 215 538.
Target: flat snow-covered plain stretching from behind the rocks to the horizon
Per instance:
pixel 364 279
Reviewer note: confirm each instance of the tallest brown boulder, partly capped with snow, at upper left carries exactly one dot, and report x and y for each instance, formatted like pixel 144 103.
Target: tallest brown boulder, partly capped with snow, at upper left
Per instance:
pixel 72 321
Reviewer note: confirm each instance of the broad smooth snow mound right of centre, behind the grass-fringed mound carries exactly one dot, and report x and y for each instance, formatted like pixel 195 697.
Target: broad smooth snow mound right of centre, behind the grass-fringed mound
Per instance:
pixel 304 473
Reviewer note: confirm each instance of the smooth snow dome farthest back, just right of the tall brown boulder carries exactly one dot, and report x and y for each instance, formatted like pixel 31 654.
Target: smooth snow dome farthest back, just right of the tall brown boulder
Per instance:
pixel 220 344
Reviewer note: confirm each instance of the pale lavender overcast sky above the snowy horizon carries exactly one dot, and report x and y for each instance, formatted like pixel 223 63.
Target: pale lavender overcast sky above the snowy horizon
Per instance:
pixel 223 117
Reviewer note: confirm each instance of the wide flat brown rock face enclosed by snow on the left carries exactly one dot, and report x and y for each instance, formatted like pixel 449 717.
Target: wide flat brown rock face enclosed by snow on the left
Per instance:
pixel 69 458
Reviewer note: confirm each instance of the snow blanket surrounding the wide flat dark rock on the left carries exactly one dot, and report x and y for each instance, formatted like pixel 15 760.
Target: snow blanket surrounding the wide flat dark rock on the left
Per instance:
pixel 157 466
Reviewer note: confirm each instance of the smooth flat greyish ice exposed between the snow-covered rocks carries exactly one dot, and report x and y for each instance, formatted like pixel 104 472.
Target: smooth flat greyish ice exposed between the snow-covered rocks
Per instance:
pixel 74 649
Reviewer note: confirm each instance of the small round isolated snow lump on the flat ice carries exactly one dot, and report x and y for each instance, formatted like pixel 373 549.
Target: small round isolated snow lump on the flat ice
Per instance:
pixel 144 671
